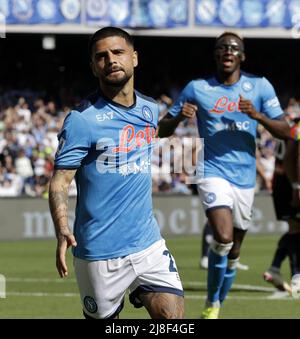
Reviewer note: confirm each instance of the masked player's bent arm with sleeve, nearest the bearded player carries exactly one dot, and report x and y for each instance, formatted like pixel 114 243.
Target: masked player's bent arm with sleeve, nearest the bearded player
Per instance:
pixel 183 108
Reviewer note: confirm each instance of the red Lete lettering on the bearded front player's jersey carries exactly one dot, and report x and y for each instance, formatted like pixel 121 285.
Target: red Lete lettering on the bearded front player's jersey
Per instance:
pixel 131 139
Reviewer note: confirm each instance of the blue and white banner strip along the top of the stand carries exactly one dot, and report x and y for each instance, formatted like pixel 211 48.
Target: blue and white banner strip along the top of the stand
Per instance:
pixel 153 13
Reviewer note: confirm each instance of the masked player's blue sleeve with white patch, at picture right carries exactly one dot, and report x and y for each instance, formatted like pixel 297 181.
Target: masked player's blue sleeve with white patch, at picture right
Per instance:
pixel 270 103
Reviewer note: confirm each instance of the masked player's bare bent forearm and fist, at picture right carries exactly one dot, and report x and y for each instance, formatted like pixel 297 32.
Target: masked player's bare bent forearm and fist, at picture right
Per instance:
pixel 279 128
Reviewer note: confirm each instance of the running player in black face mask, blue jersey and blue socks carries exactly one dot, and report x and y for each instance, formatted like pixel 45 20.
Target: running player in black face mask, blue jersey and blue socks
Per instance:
pixel 228 106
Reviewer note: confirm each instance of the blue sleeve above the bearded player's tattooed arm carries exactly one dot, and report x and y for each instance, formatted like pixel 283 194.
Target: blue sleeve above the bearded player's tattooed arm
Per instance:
pixel 74 142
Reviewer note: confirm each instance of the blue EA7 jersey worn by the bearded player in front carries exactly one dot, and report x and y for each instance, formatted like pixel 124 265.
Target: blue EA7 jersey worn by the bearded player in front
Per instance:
pixel 110 146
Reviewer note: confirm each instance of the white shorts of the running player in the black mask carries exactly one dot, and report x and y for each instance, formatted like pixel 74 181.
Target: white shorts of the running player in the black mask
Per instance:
pixel 218 192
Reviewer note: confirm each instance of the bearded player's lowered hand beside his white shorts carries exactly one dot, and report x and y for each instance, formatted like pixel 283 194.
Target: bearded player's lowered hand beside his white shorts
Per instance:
pixel 63 243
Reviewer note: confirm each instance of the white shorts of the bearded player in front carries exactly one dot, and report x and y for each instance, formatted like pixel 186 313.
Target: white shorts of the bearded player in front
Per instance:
pixel 103 284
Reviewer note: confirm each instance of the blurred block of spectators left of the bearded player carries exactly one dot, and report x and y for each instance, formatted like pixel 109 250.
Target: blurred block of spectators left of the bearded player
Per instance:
pixel 28 142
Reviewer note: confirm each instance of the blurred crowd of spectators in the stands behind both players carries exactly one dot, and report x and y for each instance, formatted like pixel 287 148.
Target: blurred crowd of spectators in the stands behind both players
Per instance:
pixel 28 142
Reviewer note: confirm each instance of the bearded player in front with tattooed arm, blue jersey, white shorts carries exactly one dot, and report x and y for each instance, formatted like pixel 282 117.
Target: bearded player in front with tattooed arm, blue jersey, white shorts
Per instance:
pixel 106 144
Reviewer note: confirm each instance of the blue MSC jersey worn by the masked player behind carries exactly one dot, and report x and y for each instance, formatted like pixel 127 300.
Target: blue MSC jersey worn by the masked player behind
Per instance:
pixel 229 135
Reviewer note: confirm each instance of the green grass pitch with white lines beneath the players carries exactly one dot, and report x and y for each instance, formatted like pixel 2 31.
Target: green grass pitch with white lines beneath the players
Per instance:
pixel 34 290
